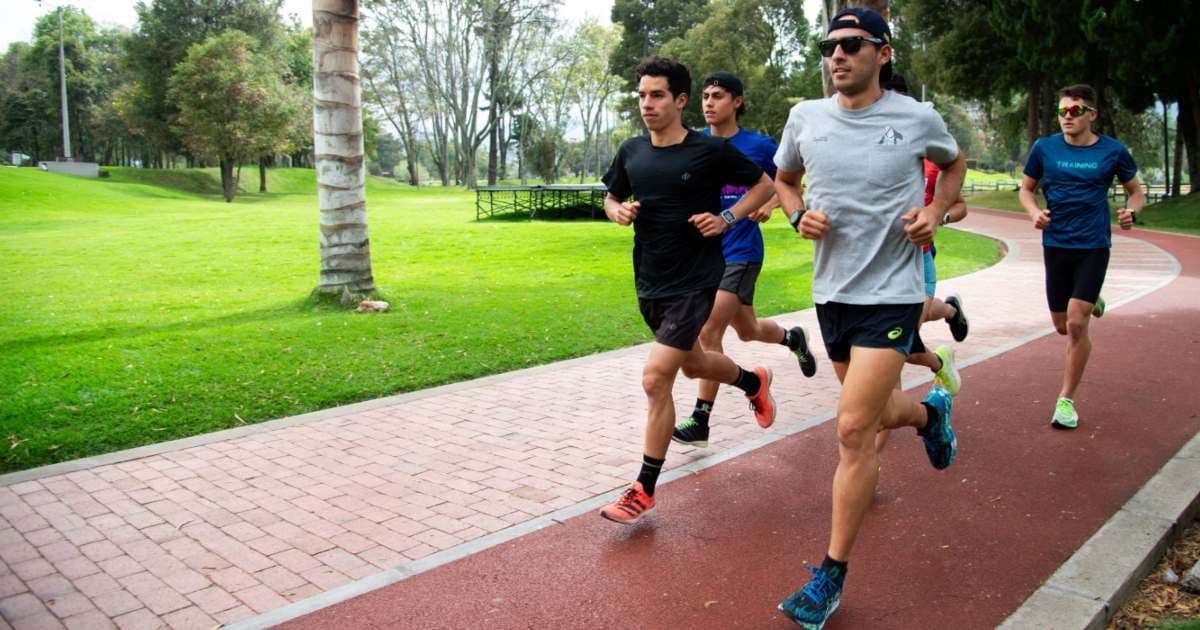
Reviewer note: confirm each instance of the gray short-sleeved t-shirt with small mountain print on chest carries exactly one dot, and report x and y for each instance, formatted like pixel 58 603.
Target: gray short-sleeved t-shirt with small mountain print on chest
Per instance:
pixel 865 170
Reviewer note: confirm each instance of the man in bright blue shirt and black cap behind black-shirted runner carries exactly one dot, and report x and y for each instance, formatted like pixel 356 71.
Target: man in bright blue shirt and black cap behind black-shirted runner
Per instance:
pixel 742 247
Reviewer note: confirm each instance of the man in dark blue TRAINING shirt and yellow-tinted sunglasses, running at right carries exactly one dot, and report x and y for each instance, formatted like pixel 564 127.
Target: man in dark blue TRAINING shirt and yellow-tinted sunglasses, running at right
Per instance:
pixel 1076 170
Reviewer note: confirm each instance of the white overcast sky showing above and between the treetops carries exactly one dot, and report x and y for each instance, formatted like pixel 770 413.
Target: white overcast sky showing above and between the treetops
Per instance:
pixel 20 15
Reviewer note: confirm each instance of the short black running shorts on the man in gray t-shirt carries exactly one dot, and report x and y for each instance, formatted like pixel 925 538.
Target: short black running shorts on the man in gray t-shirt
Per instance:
pixel 847 326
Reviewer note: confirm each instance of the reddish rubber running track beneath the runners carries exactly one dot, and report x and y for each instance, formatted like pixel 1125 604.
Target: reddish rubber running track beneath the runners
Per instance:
pixel 955 549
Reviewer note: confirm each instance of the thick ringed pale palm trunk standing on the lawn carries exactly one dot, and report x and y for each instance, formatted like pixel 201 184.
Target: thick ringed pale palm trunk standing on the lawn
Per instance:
pixel 338 145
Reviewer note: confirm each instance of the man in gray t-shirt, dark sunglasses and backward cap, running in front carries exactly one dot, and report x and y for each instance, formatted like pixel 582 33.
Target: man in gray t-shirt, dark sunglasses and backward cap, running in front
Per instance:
pixel 862 151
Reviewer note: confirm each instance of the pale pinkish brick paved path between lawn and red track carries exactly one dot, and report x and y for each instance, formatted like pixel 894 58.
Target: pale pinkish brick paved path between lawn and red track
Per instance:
pixel 255 520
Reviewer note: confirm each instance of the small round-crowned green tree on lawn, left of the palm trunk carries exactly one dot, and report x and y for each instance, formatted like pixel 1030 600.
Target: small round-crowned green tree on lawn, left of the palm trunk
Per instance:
pixel 232 103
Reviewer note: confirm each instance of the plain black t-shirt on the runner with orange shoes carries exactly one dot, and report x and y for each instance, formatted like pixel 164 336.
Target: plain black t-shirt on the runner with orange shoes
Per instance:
pixel 671 257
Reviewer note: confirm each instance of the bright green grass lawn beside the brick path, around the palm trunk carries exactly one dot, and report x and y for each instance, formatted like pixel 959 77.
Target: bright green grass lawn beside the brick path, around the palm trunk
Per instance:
pixel 142 308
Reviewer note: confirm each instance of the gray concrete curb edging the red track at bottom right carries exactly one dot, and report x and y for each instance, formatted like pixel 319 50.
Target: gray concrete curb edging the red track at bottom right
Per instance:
pixel 1101 577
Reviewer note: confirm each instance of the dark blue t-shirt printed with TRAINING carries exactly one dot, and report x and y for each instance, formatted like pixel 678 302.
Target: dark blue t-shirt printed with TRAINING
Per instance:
pixel 1076 182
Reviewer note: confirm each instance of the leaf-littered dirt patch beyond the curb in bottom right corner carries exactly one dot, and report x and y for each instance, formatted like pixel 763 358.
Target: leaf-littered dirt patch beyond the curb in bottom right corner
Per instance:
pixel 1159 601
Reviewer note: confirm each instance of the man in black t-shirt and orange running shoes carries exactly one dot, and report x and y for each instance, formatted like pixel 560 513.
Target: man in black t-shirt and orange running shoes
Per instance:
pixel 676 176
